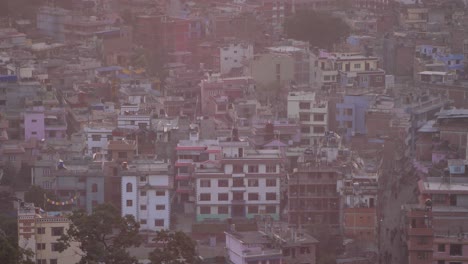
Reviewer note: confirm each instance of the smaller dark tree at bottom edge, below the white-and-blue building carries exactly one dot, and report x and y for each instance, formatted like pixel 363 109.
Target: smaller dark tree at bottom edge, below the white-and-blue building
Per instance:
pixel 176 248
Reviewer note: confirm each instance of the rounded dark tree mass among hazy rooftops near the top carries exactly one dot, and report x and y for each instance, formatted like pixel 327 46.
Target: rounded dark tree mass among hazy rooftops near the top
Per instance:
pixel 320 29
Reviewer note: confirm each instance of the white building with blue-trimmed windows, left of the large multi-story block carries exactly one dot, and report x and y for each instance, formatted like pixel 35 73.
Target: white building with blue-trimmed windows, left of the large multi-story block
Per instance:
pixel 146 186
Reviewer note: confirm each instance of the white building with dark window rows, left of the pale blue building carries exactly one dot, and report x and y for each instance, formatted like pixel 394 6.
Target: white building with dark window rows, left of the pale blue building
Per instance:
pixel 311 113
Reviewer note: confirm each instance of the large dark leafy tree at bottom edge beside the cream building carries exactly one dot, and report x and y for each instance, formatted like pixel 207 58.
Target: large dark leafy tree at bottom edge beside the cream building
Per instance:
pixel 104 235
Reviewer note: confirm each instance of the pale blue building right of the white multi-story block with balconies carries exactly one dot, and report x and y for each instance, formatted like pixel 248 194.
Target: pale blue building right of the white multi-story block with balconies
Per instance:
pixel 351 114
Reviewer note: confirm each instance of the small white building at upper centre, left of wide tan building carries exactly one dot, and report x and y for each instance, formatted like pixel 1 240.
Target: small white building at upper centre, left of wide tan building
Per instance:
pixel 234 55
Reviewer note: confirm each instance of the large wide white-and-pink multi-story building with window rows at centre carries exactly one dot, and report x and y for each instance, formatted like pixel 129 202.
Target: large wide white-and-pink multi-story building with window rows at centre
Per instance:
pixel 247 184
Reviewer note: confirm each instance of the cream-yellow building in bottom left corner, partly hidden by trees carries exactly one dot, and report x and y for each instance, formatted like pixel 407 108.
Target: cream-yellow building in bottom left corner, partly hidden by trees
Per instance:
pixel 39 232
